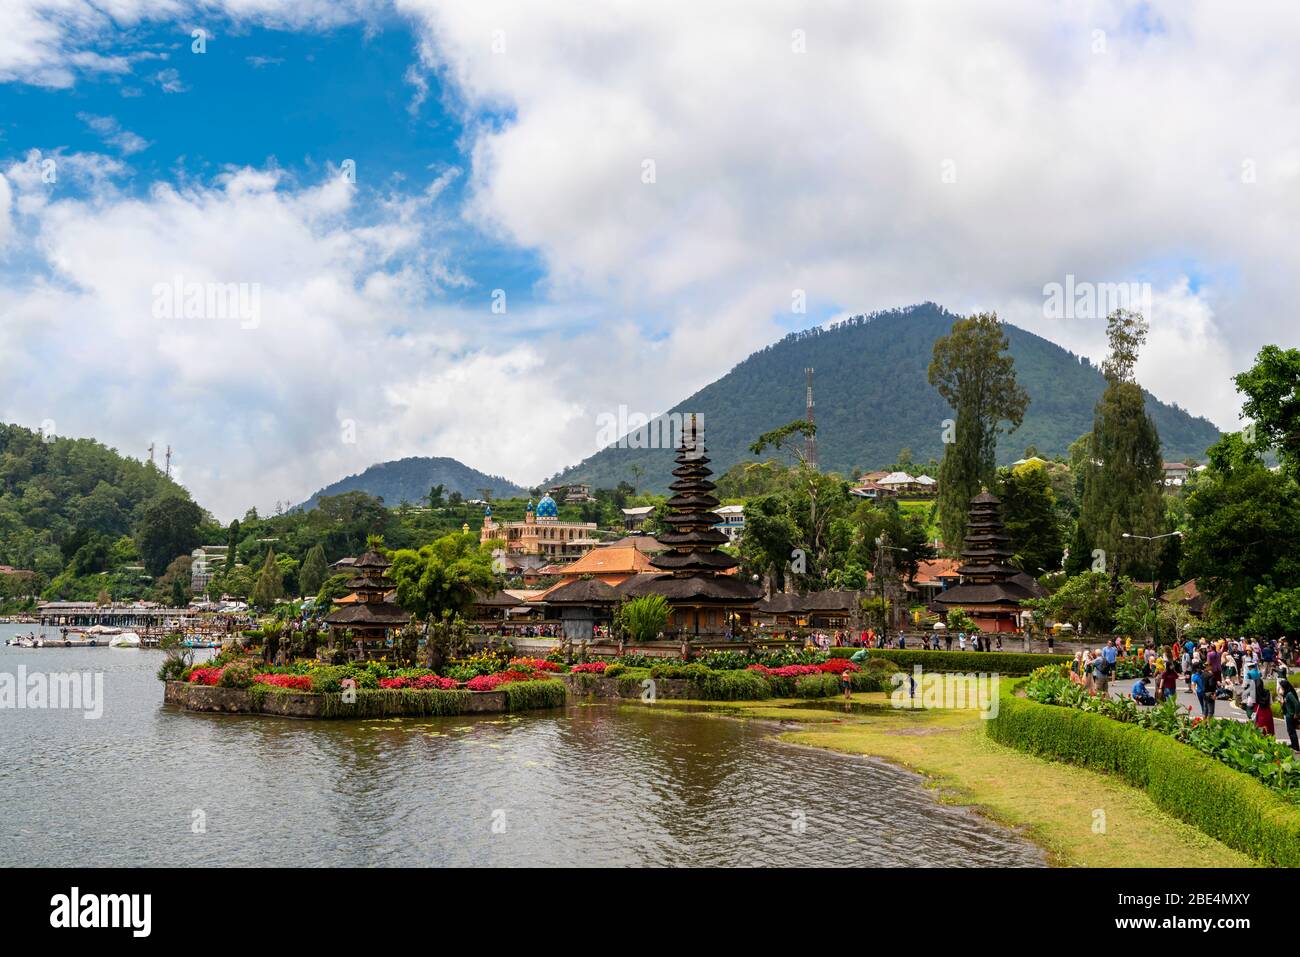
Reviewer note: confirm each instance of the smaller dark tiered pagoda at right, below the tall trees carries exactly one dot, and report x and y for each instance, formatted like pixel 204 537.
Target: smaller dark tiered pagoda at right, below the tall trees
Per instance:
pixel 991 588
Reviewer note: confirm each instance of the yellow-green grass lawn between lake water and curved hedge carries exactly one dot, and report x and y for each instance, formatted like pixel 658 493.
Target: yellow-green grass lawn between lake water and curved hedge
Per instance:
pixel 1054 804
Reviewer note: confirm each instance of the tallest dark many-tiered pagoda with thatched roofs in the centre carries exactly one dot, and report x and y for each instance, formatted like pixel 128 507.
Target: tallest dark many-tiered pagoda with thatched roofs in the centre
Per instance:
pixel 694 575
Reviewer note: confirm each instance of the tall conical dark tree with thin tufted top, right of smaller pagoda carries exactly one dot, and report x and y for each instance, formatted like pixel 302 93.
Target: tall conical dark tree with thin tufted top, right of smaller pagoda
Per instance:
pixel 1121 484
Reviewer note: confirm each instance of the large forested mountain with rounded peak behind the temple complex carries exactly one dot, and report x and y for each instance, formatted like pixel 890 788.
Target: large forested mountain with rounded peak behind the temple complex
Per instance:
pixel 874 399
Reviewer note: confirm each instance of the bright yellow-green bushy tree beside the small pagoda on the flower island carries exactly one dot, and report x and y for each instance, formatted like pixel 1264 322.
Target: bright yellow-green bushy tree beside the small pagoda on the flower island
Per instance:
pixel 444 577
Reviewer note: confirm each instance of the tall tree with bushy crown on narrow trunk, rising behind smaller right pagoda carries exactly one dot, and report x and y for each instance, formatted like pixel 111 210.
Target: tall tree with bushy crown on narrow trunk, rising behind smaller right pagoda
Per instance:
pixel 976 375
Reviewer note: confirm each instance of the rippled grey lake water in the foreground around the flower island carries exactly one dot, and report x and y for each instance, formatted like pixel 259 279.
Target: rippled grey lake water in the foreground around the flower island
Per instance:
pixel 590 785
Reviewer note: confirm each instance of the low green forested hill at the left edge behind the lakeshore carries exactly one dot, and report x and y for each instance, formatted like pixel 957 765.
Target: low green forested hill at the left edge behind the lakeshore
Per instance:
pixel 60 496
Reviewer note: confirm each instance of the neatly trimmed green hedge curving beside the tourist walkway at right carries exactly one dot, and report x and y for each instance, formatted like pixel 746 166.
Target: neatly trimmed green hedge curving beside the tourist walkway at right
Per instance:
pixel 1223 803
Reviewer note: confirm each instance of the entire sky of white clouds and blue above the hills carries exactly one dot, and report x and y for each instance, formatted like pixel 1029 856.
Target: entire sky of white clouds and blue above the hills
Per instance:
pixel 470 229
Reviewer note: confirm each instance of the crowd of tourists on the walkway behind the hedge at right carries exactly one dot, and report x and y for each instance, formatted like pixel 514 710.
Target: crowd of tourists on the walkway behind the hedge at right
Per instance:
pixel 1237 670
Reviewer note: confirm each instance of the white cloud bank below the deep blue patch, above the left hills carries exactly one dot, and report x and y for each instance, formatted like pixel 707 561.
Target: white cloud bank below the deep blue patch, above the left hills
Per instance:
pixel 345 334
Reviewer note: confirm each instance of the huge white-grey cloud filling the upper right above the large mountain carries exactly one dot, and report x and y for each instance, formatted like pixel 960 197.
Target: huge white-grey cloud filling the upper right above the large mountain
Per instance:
pixel 824 171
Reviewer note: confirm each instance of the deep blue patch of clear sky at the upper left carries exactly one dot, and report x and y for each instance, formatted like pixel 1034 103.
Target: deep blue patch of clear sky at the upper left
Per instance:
pixel 300 102
